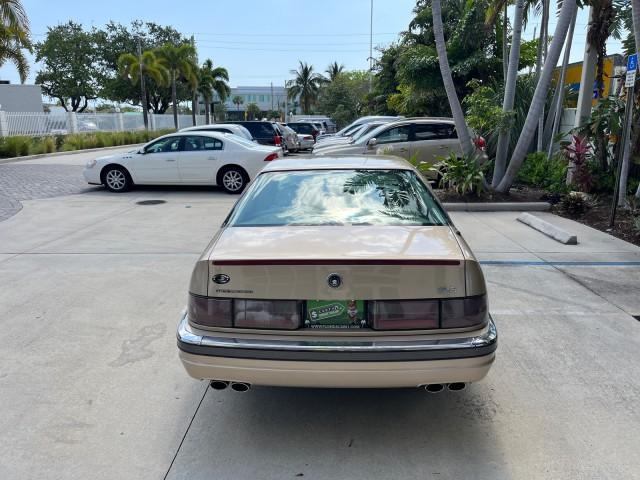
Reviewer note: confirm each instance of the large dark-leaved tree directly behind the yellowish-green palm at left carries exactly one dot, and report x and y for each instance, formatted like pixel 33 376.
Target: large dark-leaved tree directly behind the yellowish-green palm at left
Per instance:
pixel 113 40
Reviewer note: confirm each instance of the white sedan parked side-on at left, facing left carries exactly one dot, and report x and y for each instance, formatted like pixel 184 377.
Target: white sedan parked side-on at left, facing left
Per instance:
pixel 184 158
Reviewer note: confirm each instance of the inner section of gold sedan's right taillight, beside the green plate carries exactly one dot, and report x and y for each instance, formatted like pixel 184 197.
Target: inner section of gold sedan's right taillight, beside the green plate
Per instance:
pixel 404 315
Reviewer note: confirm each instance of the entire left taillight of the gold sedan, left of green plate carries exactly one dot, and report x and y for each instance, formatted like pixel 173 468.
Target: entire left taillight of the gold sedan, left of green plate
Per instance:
pixel 227 312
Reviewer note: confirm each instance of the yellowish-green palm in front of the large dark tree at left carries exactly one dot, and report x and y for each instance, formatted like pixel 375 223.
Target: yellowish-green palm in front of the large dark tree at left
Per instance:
pixel 136 68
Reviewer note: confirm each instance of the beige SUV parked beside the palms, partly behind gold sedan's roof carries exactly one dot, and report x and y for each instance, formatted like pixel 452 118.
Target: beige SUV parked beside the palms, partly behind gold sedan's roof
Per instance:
pixel 426 139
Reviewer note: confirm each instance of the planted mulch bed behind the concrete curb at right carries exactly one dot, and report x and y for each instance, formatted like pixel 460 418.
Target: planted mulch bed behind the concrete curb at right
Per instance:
pixel 595 216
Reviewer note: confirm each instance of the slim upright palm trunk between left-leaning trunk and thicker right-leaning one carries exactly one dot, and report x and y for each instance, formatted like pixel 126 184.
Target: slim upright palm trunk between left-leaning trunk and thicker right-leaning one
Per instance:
pixel 509 94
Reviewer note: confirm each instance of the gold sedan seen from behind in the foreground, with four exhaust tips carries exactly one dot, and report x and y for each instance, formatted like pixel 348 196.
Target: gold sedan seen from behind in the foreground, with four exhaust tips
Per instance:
pixel 338 272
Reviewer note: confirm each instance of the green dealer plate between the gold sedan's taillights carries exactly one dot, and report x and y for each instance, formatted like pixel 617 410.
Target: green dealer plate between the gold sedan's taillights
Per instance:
pixel 335 314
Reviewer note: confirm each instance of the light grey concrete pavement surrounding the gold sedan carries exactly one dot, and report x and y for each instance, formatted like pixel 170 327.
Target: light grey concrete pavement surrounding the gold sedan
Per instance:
pixel 91 387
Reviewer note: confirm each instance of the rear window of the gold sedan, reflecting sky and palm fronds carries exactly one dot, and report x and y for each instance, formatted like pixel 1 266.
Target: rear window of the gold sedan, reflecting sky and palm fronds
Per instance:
pixel 338 197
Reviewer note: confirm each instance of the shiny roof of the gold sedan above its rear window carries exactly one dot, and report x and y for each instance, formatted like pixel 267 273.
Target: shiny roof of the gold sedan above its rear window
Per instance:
pixel 339 162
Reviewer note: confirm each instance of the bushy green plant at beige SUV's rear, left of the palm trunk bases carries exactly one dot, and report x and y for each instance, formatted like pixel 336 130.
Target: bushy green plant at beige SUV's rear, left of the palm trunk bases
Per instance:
pixel 460 173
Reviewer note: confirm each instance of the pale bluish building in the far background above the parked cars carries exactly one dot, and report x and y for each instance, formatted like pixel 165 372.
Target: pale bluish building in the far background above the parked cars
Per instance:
pixel 269 99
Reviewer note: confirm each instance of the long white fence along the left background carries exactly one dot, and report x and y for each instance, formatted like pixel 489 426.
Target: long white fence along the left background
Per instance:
pixel 39 123
